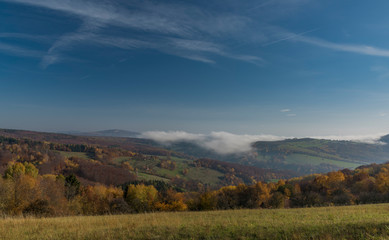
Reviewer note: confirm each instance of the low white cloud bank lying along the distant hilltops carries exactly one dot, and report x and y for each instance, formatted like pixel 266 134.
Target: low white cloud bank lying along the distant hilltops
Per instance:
pixel 229 143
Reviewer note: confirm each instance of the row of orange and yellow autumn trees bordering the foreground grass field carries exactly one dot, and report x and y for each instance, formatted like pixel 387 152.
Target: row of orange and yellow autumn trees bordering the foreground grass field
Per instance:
pixel 23 191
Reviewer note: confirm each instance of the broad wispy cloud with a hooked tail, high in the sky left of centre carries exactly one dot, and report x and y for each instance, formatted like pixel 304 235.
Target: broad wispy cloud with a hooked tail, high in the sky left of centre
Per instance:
pixel 182 30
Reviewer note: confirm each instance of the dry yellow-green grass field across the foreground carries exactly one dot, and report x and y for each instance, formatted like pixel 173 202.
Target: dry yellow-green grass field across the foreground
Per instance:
pixel 352 222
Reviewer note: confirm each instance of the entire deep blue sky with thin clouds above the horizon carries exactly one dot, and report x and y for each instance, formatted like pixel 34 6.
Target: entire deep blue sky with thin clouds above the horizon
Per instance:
pixel 291 68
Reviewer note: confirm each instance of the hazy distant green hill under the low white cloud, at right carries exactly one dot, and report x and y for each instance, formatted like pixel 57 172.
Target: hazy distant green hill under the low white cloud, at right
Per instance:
pixel 302 156
